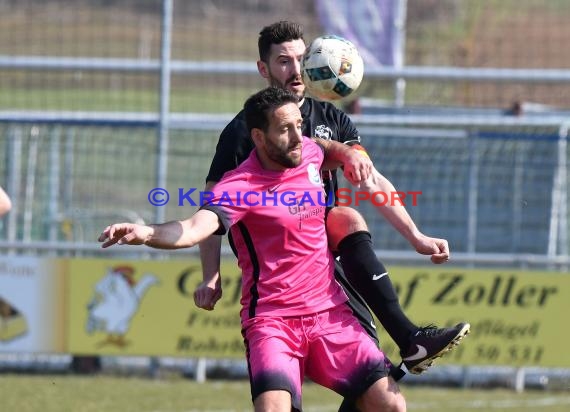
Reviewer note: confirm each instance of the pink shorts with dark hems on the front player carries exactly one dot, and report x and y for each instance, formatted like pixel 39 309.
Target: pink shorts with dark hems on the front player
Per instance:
pixel 331 348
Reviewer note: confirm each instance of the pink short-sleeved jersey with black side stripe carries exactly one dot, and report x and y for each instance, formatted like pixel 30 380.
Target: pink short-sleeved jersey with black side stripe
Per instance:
pixel 277 225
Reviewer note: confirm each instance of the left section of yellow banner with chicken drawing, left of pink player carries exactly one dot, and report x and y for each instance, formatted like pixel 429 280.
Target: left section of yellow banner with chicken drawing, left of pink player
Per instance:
pixel 122 307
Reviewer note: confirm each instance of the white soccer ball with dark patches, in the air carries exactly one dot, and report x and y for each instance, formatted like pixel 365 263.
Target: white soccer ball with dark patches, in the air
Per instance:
pixel 331 68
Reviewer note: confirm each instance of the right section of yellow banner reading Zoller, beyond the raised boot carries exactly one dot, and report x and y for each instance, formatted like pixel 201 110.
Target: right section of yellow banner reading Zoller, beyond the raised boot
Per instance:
pixel 517 317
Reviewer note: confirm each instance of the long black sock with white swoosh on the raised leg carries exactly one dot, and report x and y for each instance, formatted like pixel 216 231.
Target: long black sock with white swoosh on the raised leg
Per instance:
pixel 360 264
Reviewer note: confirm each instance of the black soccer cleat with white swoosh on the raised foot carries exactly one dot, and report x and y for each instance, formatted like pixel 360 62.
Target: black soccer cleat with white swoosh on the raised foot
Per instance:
pixel 430 343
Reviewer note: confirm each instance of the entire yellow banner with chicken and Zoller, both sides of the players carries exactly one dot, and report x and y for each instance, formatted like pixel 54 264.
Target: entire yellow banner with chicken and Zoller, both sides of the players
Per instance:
pixel 517 317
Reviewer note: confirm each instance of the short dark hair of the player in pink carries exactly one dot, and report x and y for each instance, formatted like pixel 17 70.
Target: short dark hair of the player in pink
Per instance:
pixel 259 106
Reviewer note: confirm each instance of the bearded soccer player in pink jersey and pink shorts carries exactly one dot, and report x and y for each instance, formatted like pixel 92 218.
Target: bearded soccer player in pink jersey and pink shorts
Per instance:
pixel 295 320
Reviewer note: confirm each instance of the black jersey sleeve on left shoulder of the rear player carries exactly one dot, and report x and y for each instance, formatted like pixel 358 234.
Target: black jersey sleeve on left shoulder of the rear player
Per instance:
pixel 234 146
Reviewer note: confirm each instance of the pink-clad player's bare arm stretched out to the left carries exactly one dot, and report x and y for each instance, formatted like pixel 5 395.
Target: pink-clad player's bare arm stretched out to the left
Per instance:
pixel 170 235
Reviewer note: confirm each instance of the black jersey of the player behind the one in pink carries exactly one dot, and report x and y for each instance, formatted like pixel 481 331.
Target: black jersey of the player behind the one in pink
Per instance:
pixel 320 119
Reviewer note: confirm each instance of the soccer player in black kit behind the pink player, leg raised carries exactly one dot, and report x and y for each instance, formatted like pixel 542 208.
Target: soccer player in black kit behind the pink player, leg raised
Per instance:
pixel 363 276
